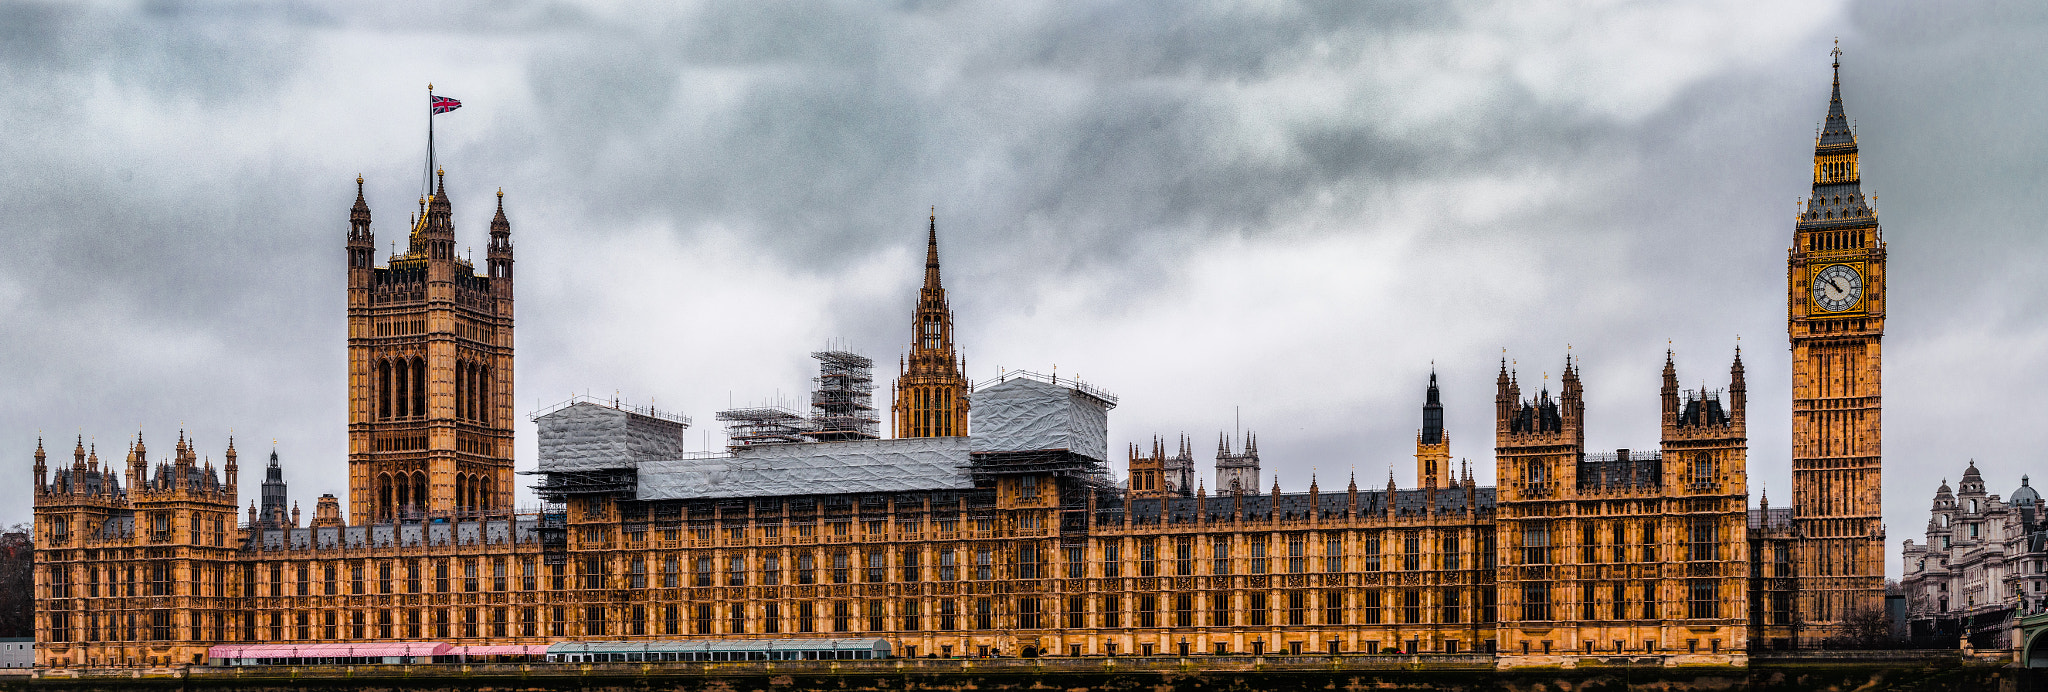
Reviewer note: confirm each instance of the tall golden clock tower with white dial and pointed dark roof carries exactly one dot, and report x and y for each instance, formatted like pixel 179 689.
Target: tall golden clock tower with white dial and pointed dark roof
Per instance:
pixel 1836 320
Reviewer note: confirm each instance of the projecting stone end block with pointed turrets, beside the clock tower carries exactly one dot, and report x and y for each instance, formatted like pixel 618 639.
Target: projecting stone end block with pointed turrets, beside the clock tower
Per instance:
pixel 1623 552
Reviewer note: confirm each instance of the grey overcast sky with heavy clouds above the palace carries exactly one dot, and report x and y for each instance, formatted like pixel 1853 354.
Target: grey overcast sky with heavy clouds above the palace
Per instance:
pixel 1277 214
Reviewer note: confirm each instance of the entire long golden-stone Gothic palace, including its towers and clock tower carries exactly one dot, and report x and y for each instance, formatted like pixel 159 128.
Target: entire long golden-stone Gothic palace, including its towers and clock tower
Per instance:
pixel 990 523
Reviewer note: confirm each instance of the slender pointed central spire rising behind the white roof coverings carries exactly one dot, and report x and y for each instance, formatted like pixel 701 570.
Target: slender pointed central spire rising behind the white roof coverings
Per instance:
pixel 931 390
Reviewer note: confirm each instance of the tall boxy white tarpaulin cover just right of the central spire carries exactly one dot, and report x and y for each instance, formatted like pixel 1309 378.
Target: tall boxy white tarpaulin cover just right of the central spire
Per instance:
pixel 1025 415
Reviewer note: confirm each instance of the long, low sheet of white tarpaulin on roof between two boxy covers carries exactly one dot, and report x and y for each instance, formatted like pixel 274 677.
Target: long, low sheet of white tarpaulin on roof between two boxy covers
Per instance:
pixel 812 470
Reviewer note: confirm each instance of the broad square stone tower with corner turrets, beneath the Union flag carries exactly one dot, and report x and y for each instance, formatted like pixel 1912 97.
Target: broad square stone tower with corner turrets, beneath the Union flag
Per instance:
pixel 429 370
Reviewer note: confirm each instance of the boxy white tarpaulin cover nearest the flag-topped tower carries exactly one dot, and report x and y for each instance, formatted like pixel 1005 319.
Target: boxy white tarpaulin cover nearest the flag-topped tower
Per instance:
pixel 599 437
